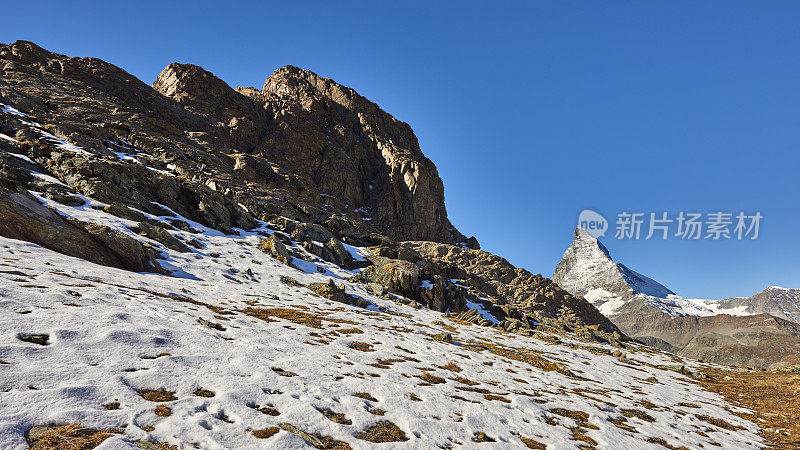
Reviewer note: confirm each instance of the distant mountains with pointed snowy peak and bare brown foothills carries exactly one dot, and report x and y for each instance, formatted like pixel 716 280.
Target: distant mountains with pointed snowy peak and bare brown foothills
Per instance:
pixel 760 330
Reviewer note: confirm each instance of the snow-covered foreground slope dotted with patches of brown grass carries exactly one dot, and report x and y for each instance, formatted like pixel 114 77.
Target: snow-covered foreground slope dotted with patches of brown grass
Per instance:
pixel 275 354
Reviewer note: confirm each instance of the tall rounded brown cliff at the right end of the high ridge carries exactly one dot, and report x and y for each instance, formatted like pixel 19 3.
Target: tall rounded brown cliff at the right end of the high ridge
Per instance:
pixel 351 148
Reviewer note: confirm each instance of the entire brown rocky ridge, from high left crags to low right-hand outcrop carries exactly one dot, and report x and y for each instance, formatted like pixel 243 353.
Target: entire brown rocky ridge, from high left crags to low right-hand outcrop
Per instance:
pixel 312 159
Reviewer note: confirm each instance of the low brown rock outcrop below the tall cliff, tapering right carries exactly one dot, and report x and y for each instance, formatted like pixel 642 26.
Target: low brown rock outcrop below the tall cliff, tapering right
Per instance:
pixel 448 277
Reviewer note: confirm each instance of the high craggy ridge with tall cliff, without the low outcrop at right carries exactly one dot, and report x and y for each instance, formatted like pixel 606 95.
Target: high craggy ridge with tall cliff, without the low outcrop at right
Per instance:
pixel 303 147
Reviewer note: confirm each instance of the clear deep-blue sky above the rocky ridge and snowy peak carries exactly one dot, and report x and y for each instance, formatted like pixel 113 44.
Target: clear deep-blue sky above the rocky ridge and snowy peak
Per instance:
pixel 532 111
